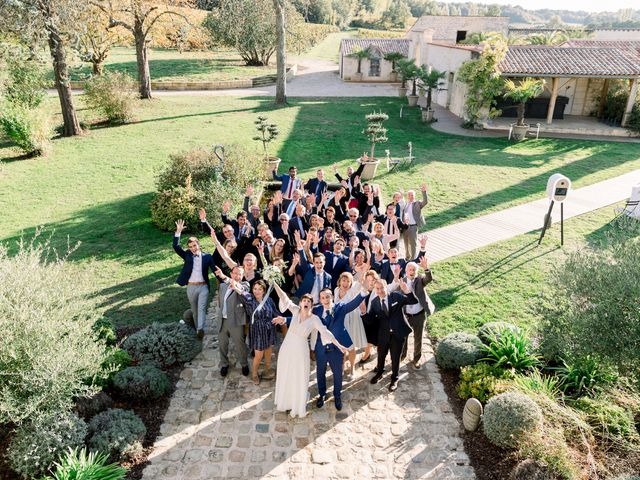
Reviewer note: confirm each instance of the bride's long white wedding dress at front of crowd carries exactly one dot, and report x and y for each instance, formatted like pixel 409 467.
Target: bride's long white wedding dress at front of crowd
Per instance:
pixel 292 379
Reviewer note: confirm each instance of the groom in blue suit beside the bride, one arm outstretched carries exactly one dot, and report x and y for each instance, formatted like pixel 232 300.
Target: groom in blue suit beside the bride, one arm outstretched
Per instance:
pixel 332 316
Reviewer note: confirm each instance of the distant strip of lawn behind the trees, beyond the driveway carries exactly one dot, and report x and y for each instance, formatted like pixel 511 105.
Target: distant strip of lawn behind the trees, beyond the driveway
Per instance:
pixel 172 66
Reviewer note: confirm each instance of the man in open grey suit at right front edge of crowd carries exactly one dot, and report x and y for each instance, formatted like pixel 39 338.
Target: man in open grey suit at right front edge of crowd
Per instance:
pixel 418 313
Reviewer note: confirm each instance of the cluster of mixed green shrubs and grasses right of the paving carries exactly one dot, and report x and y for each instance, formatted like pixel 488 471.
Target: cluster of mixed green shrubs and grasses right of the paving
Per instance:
pixel 551 413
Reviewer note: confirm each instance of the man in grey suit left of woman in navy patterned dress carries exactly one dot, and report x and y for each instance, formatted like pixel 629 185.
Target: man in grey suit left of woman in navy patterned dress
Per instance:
pixel 232 317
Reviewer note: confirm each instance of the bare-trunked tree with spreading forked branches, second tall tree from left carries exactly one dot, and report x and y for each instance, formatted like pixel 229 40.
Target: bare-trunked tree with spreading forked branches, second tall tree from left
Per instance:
pixel 139 17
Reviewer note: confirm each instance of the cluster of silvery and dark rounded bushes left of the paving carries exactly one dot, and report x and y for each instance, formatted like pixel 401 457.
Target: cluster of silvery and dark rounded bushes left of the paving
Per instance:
pixel 58 354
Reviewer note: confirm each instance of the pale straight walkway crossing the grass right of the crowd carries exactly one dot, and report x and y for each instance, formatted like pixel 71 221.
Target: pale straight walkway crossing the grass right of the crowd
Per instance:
pixel 459 238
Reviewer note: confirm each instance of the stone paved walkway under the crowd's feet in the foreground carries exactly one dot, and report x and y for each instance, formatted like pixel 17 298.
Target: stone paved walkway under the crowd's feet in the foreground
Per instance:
pixel 228 428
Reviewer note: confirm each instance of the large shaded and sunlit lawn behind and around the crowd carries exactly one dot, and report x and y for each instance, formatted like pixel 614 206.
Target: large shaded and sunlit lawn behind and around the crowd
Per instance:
pixel 96 188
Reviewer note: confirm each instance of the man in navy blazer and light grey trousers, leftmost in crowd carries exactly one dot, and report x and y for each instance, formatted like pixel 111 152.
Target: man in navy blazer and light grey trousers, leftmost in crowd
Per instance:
pixel 195 275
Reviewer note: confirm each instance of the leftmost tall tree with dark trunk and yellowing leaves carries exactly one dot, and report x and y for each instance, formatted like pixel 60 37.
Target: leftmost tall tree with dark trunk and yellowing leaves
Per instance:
pixel 28 20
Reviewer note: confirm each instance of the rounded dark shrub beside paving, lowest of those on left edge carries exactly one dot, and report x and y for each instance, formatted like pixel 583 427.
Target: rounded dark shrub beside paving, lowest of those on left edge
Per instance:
pixel 118 433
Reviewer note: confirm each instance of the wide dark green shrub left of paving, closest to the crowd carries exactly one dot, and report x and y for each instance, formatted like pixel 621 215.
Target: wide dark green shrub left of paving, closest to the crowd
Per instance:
pixel 163 344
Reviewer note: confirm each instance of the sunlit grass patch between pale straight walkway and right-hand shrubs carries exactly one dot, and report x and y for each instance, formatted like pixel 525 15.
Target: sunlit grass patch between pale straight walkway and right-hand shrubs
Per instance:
pixel 503 281
